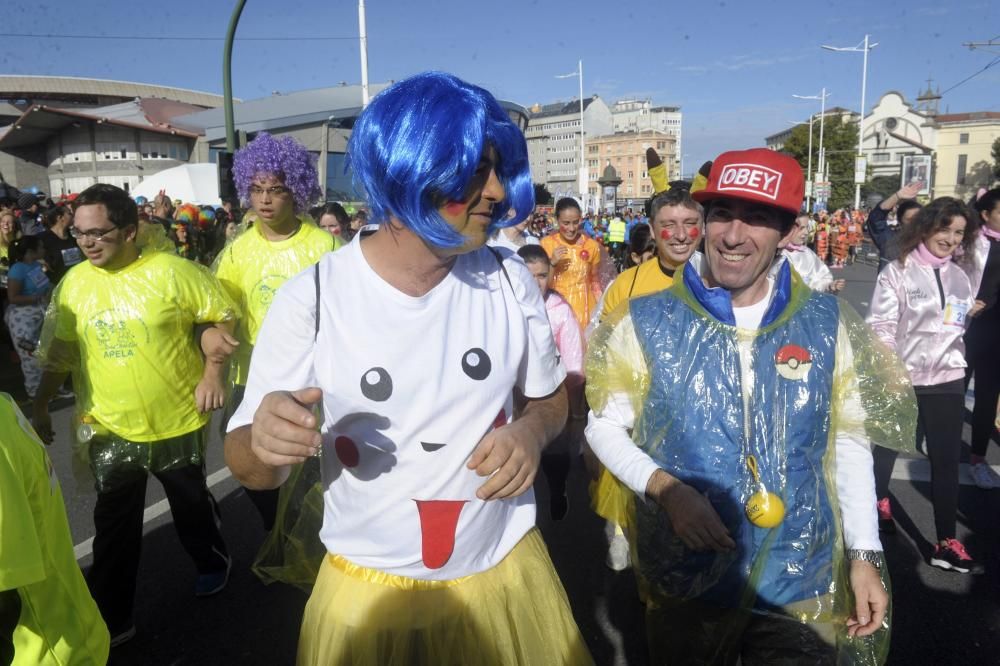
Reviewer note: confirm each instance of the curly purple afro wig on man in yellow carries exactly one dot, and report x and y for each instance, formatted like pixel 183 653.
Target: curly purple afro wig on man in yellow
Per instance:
pixel 283 158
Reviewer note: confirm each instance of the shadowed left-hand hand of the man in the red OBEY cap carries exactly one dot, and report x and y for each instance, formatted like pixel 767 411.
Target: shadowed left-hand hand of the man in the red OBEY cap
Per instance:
pixel 691 515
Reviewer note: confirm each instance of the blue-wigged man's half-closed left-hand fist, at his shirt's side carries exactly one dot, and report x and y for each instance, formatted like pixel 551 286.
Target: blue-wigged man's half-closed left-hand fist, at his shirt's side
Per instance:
pixel 284 428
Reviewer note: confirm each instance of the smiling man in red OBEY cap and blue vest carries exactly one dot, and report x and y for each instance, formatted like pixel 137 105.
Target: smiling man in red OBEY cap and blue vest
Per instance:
pixel 741 404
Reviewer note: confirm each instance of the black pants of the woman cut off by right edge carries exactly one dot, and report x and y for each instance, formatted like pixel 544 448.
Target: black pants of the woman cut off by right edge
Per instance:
pixel 984 363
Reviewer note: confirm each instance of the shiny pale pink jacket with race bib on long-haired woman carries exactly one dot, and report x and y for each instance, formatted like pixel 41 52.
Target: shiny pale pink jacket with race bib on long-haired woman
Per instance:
pixel 920 313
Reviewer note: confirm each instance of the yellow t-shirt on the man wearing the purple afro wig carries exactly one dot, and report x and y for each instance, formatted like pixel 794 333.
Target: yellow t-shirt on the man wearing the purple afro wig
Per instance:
pixel 251 268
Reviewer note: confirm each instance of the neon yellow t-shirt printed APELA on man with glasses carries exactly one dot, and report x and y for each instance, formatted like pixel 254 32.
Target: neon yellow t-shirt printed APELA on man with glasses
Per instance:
pixel 134 327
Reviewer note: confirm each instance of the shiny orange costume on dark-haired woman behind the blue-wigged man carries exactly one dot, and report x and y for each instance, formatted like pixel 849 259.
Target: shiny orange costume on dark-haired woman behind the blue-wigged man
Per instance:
pixel 576 277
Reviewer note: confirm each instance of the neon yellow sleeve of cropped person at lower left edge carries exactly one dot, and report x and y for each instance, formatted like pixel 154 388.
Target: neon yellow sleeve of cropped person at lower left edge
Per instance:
pixel 21 561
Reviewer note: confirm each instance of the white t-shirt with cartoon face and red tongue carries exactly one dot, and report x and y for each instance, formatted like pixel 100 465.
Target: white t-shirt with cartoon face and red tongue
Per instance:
pixel 410 387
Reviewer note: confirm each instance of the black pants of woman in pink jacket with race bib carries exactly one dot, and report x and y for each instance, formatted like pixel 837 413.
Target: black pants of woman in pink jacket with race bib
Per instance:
pixel 939 419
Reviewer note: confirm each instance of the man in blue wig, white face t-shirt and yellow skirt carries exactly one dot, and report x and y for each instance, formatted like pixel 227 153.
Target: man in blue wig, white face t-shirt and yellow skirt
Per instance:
pixel 406 350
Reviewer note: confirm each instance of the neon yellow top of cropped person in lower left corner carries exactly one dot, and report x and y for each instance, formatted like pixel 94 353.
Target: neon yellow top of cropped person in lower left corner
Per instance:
pixel 59 622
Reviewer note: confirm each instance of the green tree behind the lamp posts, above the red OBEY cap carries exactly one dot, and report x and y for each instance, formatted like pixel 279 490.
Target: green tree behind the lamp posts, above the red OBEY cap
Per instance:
pixel 840 140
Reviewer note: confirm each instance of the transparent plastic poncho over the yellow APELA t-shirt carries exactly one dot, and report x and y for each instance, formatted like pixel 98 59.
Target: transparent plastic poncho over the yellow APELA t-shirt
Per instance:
pixel 128 339
